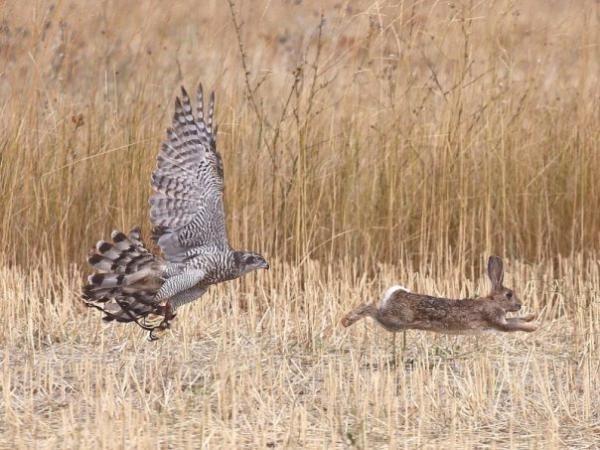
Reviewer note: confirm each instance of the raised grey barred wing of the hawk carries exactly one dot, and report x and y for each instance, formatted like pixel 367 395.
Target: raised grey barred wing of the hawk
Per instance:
pixel 187 205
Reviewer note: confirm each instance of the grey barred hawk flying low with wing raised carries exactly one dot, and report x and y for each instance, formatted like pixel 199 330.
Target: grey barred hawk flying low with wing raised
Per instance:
pixel 130 283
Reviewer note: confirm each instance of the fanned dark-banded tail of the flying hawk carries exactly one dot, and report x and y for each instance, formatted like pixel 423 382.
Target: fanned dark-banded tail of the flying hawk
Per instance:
pixel 127 278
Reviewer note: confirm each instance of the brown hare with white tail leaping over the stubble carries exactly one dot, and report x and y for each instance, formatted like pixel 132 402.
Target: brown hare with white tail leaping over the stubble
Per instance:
pixel 402 310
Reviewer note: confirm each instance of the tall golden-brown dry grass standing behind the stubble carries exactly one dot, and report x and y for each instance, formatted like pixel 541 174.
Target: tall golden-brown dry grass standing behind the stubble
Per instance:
pixel 386 131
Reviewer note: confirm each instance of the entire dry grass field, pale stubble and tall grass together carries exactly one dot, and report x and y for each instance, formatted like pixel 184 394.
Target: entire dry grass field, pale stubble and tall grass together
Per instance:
pixel 365 143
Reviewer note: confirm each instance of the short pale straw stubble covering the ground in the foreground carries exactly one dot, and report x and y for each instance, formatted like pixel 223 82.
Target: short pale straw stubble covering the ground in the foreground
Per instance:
pixel 264 363
